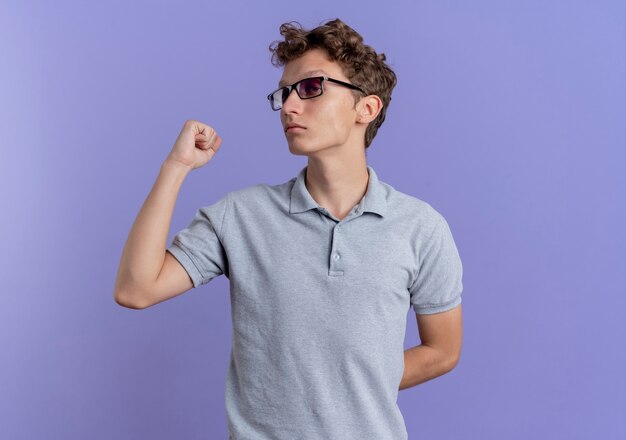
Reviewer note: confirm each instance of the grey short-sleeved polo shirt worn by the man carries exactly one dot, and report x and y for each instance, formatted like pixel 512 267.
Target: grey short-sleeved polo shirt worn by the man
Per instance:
pixel 319 306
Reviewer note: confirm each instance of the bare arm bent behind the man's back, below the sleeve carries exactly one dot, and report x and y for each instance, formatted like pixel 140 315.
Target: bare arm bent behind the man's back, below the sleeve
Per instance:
pixel 441 335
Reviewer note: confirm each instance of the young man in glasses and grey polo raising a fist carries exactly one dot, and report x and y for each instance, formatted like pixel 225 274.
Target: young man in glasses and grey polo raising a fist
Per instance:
pixel 322 268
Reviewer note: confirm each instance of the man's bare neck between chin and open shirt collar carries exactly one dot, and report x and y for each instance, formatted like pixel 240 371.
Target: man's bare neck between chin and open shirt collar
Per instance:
pixel 337 182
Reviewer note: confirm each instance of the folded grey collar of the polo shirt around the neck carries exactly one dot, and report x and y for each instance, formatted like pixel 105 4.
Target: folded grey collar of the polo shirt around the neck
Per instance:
pixel 373 201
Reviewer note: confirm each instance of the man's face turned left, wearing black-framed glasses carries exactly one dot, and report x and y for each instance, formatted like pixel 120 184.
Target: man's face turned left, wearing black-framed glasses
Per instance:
pixel 328 120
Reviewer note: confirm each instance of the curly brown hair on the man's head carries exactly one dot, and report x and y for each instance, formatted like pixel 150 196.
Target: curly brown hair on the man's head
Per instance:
pixel 360 62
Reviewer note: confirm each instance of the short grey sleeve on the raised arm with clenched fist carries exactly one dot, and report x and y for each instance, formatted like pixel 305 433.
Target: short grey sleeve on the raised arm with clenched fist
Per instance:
pixel 199 247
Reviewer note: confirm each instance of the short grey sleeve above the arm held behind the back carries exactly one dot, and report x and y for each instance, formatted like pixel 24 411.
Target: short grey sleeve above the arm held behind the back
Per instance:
pixel 438 284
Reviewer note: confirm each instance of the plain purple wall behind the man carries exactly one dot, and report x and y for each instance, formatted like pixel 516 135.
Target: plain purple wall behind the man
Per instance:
pixel 510 119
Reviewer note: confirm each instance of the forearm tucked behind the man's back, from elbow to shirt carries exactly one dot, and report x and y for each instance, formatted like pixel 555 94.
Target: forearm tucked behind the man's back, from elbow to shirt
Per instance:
pixel 422 363
